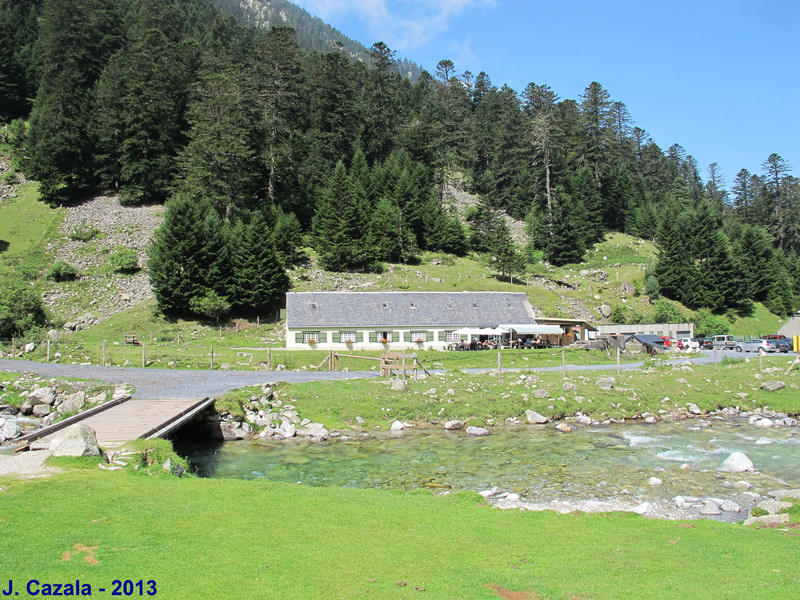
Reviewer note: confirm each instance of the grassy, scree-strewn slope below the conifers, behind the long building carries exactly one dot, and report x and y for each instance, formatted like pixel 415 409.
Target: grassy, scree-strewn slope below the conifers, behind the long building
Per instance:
pixel 33 236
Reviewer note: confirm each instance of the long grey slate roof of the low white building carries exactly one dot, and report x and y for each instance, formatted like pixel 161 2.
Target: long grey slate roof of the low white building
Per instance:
pixel 405 309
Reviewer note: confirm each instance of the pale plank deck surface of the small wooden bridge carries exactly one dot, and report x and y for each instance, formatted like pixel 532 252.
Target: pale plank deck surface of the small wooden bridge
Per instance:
pixel 142 418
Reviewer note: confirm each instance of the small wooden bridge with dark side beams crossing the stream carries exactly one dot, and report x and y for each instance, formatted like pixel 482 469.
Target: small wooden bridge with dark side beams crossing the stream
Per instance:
pixel 121 421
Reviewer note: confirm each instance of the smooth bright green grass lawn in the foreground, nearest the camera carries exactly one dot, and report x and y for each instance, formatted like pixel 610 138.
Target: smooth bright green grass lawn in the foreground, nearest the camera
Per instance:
pixel 236 539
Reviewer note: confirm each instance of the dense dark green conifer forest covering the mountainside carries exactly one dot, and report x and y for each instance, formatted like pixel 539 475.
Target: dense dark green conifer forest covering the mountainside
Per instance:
pixel 258 147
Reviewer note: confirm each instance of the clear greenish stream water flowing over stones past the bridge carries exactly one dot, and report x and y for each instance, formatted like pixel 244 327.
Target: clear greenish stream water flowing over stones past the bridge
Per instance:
pixel 537 462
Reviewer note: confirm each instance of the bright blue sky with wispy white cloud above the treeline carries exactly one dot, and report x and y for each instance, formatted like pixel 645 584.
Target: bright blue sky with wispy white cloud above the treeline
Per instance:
pixel 721 78
